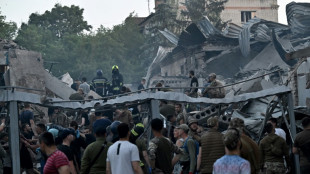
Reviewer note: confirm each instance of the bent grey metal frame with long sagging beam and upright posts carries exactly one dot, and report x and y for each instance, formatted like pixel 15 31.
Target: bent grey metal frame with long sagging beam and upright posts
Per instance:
pixel 12 97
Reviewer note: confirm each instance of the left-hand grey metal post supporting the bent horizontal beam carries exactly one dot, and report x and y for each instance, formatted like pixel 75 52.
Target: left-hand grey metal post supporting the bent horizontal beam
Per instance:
pixel 14 137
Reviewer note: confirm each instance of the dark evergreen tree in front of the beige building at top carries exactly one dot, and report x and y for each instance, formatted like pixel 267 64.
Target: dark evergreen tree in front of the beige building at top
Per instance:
pixel 197 9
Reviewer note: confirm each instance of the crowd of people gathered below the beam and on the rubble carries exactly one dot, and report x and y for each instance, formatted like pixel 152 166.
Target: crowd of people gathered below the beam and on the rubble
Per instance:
pixel 117 141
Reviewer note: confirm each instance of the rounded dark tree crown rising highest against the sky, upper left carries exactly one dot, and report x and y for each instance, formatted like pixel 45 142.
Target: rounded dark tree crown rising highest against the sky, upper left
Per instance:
pixel 61 20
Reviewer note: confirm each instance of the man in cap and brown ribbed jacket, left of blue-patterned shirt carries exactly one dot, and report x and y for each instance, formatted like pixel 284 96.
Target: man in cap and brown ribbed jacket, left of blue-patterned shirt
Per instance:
pixel 212 147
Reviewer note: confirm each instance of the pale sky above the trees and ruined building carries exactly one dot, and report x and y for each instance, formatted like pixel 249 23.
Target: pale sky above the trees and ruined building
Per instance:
pixel 96 12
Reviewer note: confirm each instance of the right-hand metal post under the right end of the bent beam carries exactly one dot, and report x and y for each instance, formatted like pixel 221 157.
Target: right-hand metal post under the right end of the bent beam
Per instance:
pixel 293 129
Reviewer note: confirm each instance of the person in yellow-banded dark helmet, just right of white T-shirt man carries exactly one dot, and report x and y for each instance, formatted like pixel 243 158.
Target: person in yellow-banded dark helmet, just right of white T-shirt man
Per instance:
pixel 140 142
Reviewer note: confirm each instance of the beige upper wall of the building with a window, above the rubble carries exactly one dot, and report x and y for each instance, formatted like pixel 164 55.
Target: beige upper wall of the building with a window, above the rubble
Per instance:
pixel 264 9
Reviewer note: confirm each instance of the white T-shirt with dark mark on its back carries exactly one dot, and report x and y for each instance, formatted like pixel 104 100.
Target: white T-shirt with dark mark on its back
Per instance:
pixel 120 155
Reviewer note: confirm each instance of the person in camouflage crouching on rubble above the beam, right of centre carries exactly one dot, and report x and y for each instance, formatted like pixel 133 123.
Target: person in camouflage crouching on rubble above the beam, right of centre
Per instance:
pixel 214 88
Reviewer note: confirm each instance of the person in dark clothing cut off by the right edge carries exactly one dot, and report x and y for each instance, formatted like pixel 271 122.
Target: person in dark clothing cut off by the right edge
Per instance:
pixel 302 144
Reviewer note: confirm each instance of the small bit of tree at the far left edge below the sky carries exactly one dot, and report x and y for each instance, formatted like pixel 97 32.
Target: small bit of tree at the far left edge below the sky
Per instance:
pixel 7 29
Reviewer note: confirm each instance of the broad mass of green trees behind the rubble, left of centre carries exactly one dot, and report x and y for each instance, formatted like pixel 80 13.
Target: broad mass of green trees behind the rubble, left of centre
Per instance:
pixel 82 54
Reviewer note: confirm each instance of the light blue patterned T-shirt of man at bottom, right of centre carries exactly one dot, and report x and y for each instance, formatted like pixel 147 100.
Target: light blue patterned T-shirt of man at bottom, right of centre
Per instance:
pixel 231 164
